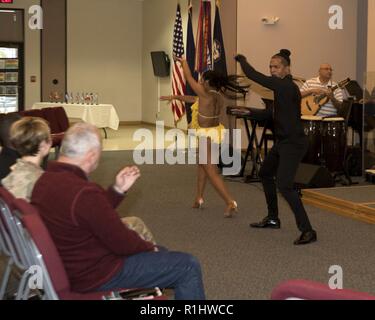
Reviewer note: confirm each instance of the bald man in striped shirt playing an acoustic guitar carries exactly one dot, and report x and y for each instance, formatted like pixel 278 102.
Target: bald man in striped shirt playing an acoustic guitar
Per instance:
pixel 323 86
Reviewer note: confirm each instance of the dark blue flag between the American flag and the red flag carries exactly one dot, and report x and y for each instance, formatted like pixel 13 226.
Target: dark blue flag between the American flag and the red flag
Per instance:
pixel 190 57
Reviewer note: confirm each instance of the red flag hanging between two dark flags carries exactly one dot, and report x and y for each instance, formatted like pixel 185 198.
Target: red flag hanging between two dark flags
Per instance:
pixel 203 61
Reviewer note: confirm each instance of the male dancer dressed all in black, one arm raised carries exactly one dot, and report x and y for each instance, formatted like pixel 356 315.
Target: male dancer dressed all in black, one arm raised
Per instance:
pixel 290 144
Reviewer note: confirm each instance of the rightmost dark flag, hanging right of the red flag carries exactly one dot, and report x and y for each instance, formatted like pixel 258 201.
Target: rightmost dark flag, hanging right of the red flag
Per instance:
pixel 220 62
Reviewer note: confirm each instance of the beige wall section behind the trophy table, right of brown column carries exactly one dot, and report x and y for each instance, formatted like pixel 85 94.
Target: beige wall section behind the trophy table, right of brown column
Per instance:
pixel 105 52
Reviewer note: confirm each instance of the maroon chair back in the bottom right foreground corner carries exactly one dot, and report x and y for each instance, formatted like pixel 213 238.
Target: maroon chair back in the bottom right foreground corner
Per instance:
pixel 310 290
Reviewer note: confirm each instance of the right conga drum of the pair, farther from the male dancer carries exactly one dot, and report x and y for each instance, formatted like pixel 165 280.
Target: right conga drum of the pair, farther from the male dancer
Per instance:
pixel 334 143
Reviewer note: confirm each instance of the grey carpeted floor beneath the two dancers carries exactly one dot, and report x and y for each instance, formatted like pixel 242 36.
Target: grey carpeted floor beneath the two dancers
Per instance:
pixel 239 262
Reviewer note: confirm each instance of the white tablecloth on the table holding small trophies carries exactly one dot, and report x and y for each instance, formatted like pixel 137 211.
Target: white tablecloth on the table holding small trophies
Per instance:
pixel 101 115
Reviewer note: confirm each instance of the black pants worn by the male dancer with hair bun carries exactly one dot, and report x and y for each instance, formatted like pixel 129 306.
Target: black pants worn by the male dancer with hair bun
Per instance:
pixel 278 171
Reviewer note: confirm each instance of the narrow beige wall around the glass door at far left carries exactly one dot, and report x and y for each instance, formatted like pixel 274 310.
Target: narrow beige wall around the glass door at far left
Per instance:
pixel 32 53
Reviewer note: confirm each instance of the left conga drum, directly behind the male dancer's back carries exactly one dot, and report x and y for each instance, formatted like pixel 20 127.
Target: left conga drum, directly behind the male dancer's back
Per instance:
pixel 312 126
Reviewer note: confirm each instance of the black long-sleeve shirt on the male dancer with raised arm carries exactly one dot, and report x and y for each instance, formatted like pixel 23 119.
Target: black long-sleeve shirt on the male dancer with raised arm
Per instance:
pixel 287 103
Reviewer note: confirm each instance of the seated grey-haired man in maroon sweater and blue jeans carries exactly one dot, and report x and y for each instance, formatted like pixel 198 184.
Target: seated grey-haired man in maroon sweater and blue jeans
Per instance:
pixel 98 251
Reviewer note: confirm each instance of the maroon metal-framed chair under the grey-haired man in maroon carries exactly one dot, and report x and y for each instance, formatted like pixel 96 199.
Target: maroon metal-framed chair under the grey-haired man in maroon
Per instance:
pixel 55 280
